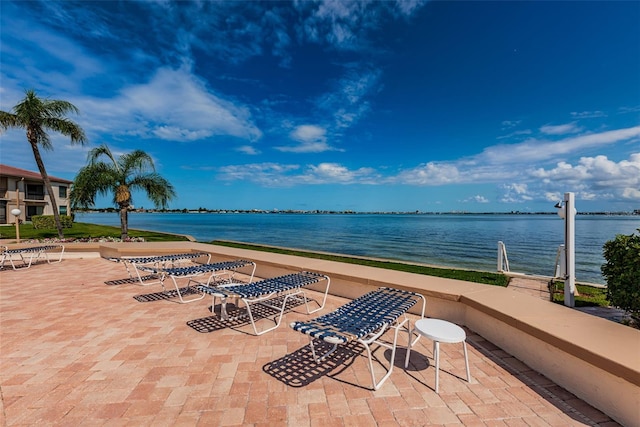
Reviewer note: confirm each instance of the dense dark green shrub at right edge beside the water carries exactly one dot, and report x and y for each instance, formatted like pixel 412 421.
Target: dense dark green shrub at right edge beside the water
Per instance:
pixel 622 272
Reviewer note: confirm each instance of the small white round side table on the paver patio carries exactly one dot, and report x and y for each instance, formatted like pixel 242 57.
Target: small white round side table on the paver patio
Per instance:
pixel 439 331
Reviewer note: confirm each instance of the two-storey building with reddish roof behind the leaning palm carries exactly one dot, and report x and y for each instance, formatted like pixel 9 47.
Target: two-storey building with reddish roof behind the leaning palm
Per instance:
pixel 26 190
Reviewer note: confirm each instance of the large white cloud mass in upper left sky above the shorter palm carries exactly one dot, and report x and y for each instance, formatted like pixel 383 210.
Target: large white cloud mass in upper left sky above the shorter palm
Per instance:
pixel 173 105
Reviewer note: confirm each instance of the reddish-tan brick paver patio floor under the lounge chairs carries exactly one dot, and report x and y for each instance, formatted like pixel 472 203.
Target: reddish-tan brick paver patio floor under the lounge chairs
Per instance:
pixel 75 351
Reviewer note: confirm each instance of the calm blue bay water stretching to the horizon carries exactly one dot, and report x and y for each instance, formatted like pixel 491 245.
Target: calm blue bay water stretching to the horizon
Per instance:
pixel 465 241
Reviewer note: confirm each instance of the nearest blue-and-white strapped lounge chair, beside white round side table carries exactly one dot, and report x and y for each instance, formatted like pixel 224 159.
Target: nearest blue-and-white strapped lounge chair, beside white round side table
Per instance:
pixel 365 320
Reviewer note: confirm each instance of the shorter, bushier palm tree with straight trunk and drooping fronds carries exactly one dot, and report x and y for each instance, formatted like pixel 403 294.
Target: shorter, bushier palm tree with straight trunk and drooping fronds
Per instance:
pixel 119 176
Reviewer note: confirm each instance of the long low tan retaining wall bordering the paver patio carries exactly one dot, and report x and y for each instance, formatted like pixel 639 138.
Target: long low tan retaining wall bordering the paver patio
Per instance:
pixel 595 359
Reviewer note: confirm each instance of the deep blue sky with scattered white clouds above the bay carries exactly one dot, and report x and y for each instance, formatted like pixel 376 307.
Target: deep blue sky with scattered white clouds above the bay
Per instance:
pixel 366 106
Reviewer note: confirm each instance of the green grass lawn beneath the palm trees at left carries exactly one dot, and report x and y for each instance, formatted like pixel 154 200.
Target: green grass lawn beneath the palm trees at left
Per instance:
pixel 82 230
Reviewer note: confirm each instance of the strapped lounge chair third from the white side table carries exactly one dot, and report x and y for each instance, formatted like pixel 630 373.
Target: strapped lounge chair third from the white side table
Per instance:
pixel 221 272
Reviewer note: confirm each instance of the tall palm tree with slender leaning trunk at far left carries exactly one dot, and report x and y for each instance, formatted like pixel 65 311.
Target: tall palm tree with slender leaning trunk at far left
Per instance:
pixel 36 116
